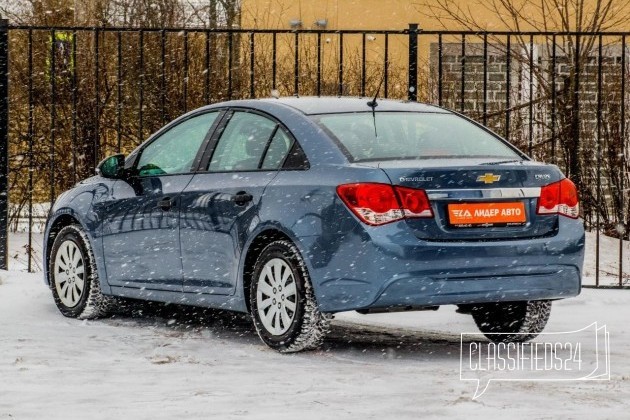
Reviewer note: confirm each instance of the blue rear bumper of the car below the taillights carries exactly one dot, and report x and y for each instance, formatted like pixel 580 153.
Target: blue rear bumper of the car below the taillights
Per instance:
pixel 377 267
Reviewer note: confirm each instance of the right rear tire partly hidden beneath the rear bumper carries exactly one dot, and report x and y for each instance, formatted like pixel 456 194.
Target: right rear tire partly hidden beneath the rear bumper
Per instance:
pixel 512 321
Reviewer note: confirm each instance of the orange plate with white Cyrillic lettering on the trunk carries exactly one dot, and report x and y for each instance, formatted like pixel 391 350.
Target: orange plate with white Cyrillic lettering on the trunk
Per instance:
pixel 486 214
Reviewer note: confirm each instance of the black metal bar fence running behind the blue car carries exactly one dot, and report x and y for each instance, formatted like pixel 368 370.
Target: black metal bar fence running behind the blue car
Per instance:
pixel 72 95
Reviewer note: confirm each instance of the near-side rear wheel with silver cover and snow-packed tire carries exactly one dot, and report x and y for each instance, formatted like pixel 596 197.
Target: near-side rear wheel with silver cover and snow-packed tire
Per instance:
pixel 282 301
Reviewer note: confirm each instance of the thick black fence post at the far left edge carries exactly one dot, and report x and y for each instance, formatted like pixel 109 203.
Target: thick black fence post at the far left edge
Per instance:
pixel 4 142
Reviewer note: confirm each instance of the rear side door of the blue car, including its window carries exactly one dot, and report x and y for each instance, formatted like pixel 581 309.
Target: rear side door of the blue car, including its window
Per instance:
pixel 220 205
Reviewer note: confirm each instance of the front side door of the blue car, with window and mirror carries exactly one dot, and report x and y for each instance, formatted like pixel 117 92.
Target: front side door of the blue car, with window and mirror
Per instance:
pixel 141 222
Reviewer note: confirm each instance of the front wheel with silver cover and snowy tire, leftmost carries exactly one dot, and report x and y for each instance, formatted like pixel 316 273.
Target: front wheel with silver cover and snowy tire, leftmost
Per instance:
pixel 73 277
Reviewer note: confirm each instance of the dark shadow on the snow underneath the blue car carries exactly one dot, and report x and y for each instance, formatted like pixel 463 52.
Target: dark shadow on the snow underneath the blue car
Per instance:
pixel 345 339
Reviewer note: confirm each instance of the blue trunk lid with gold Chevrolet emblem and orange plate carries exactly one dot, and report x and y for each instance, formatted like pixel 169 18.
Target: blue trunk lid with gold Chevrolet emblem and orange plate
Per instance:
pixel 477 199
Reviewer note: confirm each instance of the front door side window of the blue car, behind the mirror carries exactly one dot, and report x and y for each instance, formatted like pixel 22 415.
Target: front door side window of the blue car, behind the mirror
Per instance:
pixel 175 150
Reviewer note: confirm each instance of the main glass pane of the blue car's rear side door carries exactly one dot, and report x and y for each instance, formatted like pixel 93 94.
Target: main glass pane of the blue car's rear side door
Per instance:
pixel 242 143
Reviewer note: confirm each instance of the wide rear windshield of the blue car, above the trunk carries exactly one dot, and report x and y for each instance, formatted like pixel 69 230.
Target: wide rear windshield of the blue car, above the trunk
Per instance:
pixel 412 135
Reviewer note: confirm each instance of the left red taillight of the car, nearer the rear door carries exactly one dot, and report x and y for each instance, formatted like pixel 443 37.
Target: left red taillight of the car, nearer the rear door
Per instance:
pixel 377 204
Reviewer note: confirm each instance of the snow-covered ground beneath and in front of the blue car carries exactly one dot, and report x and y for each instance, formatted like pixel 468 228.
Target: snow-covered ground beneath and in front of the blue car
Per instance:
pixel 165 362
